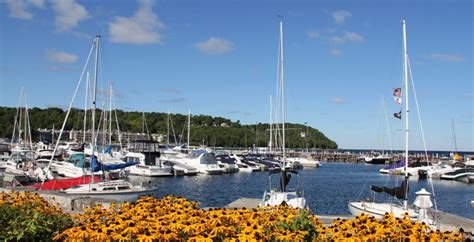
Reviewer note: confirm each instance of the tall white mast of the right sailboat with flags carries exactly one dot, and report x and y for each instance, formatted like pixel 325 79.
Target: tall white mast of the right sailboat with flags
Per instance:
pixel 407 130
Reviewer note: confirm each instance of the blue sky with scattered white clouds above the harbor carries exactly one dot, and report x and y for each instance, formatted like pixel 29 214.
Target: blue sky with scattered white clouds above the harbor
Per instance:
pixel 219 58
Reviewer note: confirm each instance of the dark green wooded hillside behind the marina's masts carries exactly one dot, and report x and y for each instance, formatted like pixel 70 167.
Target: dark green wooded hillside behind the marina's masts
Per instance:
pixel 207 130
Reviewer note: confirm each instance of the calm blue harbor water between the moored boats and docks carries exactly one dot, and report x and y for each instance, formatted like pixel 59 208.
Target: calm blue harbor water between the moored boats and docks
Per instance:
pixel 327 189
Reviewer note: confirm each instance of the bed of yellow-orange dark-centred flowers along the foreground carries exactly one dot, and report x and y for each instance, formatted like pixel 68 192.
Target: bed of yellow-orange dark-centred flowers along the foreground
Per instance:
pixel 175 218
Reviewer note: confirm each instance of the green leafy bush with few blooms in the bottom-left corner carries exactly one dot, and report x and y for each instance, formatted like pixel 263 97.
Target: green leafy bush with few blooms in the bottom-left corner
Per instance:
pixel 24 223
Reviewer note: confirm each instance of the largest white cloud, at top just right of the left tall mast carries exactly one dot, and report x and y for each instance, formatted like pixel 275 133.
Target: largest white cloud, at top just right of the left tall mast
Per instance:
pixel 142 28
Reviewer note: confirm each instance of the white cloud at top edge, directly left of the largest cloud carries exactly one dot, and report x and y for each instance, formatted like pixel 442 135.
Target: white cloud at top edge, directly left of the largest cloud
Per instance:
pixel 68 14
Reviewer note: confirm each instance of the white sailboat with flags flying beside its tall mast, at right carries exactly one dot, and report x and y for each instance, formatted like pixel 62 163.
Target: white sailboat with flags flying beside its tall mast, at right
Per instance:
pixel 401 209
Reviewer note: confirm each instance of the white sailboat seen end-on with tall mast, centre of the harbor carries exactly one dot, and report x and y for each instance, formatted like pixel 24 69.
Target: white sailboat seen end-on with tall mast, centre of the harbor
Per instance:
pixel 282 194
